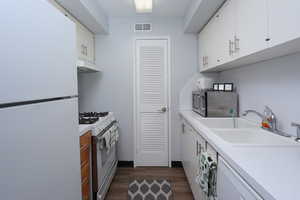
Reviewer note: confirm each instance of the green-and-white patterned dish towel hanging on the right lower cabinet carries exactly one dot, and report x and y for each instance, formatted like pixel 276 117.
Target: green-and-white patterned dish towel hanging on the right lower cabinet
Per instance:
pixel 207 176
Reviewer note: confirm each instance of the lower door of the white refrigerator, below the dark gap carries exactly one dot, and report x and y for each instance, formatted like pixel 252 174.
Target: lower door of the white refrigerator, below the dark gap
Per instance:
pixel 39 152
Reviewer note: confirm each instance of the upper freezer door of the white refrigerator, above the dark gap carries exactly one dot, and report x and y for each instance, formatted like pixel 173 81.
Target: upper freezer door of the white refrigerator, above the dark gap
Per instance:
pixel 38 52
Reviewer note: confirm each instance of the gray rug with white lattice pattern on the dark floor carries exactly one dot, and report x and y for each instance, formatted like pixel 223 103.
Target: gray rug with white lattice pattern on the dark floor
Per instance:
pixel 150 190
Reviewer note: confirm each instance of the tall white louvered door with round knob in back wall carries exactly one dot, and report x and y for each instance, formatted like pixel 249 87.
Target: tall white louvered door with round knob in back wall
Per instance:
pixel 152 102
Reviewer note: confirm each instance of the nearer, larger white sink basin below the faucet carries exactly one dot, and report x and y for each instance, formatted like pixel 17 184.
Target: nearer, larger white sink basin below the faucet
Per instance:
pixel 253 137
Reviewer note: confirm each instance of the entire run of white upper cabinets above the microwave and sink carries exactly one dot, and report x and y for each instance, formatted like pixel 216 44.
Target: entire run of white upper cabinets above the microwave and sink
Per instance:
pixel 248 31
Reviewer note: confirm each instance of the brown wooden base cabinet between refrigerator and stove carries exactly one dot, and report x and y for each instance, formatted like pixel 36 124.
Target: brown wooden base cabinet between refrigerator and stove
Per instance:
pixel 85 150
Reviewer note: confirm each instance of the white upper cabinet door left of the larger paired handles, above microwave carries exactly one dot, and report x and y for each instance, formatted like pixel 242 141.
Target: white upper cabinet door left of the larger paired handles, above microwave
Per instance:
pixel 225 32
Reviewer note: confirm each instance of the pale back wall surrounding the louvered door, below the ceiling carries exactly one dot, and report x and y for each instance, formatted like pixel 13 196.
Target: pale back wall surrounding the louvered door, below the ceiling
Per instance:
pixel 112 90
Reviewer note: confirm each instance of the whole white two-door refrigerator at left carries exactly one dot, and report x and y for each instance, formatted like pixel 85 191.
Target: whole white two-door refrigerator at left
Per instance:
pixel 39 144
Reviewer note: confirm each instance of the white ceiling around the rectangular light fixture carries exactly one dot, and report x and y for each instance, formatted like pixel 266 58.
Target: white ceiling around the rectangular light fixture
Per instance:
pixel 161 8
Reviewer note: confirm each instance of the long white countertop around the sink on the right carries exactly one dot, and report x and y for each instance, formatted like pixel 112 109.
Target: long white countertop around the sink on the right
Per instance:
pixel 273 172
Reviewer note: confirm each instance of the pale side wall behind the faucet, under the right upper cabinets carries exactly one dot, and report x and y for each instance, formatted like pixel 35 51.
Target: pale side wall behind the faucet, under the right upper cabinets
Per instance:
pixel 275 83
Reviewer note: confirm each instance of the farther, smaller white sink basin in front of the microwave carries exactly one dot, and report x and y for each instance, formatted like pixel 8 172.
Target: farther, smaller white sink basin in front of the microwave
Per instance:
pixel 228 123
